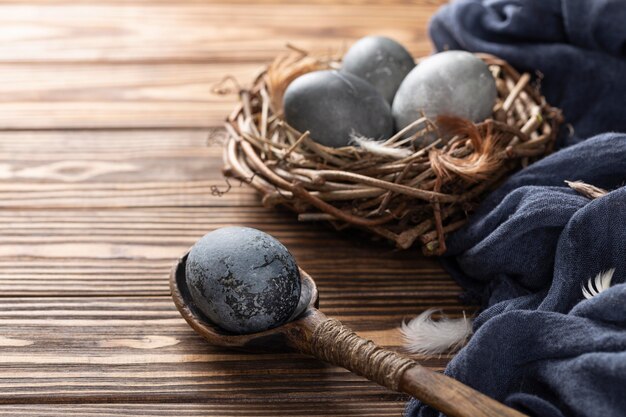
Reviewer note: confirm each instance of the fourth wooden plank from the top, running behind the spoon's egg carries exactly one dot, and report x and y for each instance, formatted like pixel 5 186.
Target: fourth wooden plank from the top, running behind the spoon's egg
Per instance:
pixel 116 252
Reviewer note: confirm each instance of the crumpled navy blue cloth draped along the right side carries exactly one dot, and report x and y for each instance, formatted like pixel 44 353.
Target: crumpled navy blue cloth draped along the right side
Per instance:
pixel 539 346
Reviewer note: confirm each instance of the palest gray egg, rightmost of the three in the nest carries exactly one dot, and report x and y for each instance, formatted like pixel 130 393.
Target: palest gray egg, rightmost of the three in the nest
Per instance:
pixel 451 83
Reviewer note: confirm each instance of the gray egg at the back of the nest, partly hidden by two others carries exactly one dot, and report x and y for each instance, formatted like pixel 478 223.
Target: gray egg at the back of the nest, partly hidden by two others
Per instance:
pixel 381 61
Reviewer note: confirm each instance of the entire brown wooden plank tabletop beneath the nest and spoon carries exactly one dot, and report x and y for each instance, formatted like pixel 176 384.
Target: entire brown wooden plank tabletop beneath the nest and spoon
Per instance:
pixel 105 179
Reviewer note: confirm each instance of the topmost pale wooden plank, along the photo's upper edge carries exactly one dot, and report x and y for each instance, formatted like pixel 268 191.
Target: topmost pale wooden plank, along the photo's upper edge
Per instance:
pixel 198 32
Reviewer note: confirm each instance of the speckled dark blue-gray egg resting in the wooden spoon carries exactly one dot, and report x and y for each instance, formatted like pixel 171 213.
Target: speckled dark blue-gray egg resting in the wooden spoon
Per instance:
pixel 242 279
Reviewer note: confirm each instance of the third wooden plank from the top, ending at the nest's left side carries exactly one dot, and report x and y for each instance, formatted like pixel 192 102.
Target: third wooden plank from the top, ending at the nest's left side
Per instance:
pixel 115 169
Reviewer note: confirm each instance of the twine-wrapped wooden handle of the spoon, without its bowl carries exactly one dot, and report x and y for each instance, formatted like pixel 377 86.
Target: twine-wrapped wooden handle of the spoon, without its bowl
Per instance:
pixel 329 340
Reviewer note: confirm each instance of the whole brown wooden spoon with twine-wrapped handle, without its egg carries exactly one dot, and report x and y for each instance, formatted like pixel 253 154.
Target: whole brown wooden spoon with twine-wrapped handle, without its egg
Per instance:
pixel 311 332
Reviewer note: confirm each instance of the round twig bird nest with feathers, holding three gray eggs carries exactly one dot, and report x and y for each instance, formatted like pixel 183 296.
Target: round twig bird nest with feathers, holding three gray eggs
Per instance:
pixel 396 190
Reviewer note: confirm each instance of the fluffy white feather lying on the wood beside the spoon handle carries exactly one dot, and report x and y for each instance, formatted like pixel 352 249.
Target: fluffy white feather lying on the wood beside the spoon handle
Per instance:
pixel 425 336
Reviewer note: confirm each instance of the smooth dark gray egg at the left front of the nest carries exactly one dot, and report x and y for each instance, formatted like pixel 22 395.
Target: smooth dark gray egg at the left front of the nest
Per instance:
pixel 332 106
